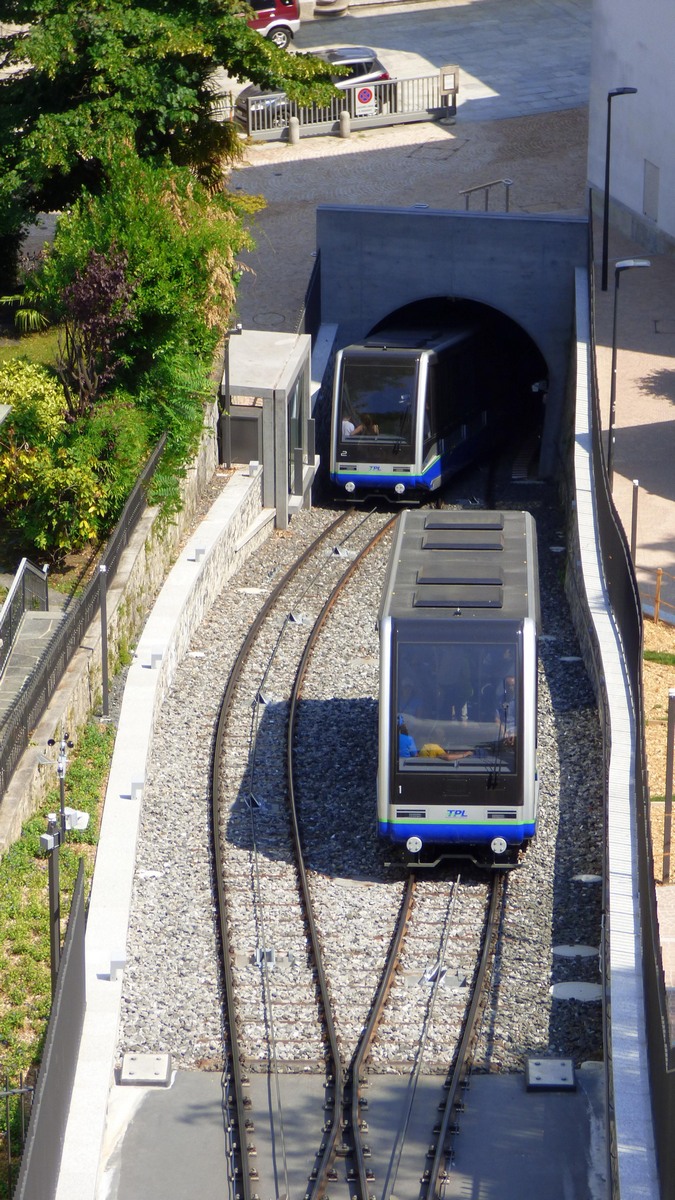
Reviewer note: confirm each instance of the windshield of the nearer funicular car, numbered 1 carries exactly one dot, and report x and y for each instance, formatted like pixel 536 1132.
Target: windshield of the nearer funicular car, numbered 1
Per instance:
pixel 458 705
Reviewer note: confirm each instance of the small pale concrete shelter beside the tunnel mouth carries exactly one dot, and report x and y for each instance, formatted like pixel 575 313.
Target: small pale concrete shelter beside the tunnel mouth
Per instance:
pixel 266 416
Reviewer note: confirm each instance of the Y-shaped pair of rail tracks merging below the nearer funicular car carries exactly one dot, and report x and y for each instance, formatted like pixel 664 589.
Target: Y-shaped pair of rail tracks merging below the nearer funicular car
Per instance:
pixel 289 1025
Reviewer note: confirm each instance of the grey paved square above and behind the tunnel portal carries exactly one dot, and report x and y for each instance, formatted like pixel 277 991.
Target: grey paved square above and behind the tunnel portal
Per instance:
pixel 522 115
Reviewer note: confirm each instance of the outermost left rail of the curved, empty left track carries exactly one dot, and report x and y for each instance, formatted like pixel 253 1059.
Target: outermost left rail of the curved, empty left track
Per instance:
pixel 234 1076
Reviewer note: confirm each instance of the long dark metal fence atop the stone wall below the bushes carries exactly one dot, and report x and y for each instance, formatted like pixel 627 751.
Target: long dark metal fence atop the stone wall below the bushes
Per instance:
pixel 32 701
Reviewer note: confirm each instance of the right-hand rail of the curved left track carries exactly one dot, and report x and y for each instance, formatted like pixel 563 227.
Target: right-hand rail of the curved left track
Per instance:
pixel 330 1147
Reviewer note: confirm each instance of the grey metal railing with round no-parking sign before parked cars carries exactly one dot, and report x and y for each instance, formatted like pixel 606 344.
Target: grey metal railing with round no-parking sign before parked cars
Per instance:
pixel 267 118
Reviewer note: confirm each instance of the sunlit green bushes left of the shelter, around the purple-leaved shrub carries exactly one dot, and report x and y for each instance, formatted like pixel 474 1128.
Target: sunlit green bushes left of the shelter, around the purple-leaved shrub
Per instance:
pixel 180 245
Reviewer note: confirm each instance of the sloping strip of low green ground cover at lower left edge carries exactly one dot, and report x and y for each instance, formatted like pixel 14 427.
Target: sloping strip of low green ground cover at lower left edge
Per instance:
pixel 26 977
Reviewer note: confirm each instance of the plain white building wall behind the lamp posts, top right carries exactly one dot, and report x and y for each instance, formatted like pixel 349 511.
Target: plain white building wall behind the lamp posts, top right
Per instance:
pixel 634 46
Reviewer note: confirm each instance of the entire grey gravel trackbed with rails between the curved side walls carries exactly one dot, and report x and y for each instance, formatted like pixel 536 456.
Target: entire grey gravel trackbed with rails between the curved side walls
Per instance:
pixel 280 1138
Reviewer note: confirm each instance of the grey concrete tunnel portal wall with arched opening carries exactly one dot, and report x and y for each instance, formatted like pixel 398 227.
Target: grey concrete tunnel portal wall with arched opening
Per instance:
pixel 374 261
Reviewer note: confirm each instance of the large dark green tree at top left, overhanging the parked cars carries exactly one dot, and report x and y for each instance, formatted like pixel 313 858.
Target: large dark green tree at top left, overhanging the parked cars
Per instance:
pixel 91 77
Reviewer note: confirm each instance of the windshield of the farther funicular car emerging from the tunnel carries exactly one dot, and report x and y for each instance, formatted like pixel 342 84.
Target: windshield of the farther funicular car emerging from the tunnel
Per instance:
pixel 378 407
